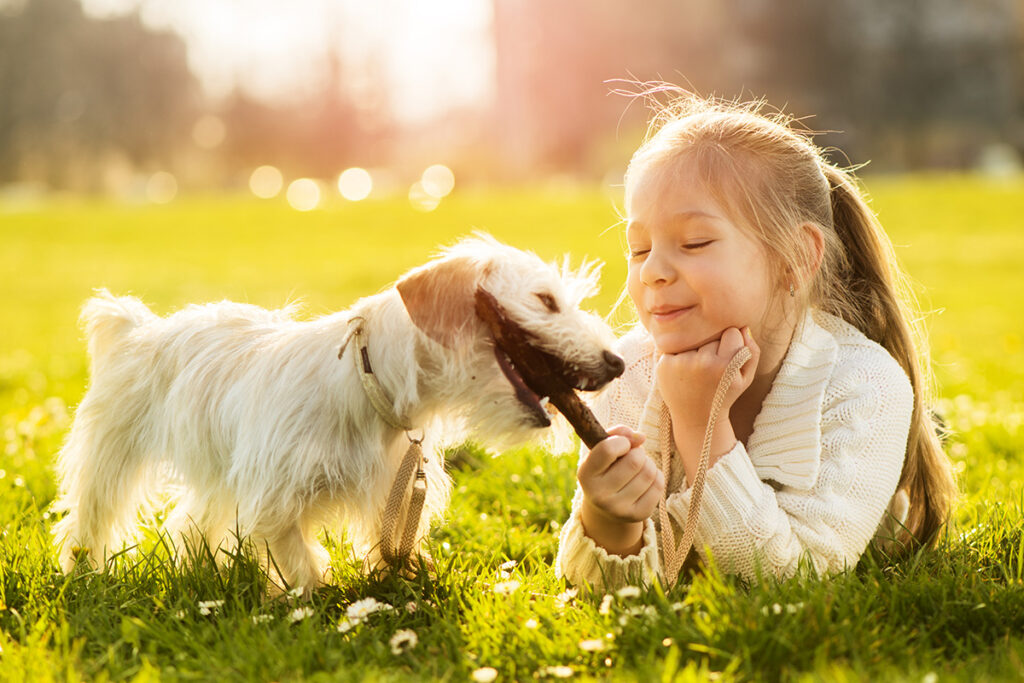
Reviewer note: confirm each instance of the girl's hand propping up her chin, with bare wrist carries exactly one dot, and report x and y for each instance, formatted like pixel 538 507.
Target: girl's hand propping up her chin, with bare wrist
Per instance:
pixel 688 382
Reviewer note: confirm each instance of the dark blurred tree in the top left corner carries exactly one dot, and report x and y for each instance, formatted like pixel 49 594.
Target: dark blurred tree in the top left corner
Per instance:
pixel 75 91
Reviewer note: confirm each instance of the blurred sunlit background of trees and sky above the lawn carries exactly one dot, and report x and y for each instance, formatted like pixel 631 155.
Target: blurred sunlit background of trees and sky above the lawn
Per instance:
pixel 318 102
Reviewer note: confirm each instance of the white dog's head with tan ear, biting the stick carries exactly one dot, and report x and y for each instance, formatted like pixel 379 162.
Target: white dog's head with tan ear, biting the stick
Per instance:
pixel 519 324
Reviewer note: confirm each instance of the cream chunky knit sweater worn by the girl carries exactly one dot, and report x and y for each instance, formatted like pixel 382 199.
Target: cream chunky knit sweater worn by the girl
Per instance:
pixel 815 481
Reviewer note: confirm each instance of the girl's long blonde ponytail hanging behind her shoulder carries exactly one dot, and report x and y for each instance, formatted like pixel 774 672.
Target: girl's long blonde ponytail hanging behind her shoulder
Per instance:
pixel 877 300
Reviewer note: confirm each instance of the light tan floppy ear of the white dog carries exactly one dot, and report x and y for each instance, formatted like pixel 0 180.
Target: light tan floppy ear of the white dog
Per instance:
pixel 439 297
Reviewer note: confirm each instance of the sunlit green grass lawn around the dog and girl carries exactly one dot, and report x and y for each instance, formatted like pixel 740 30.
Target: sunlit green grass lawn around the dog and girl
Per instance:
pixel 954 614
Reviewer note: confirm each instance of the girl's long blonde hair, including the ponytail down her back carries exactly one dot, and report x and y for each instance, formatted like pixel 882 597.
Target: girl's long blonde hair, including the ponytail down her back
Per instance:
pixel 776 181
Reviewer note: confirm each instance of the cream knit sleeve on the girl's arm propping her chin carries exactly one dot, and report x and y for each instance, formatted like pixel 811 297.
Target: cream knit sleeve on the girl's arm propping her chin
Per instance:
pixel 751 526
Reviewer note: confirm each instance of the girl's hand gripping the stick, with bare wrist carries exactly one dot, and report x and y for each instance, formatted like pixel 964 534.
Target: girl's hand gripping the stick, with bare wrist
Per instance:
pixel 622 488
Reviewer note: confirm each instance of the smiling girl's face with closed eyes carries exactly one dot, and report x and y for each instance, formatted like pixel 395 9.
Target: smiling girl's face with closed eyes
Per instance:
pixel 693 273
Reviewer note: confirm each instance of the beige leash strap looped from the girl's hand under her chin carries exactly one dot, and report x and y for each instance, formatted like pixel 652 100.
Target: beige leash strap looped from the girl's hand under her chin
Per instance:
pixel 675 556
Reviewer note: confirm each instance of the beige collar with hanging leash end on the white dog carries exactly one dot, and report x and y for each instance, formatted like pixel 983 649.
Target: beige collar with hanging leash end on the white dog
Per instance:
pixel 410 471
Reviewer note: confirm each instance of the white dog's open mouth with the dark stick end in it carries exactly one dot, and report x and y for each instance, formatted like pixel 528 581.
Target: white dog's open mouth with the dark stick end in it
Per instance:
pixel 538 376
